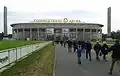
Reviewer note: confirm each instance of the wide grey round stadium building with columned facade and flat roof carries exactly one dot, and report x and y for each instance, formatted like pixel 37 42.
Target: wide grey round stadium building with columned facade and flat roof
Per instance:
pixel 57 30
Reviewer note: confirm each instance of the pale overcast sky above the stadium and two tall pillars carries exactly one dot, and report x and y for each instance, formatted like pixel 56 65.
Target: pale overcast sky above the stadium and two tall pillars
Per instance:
pixel 92 11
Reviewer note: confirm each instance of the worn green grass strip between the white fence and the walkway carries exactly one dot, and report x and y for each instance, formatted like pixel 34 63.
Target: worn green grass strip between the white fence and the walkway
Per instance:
pixel 40 63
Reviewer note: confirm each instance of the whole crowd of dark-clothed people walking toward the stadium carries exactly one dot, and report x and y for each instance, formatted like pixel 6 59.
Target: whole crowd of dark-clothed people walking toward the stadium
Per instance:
pixel 100 50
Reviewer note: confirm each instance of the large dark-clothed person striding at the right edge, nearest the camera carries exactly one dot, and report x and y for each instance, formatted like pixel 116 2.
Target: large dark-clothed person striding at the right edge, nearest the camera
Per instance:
pixel 115 54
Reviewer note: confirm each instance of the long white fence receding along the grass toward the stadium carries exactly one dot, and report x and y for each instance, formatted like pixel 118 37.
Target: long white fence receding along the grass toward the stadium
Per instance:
pixel 11 55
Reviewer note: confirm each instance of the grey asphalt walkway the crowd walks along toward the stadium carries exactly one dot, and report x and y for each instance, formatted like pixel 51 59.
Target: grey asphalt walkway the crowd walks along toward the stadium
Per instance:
pixel 66 65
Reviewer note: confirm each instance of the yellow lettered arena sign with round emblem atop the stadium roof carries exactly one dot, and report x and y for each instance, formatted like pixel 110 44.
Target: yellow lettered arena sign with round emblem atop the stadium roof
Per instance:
pixel 65 20
